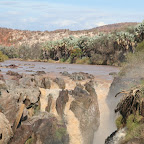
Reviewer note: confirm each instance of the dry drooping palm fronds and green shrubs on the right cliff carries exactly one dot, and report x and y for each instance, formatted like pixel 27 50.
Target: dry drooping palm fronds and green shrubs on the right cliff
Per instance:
pixel 132 113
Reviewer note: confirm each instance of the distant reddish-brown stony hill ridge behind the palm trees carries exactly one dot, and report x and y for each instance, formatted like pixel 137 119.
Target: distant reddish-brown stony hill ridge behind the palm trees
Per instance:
pixel 15 37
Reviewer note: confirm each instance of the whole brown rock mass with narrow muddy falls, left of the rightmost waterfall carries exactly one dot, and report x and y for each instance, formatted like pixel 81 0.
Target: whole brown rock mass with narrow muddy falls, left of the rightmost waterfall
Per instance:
pixel 41 109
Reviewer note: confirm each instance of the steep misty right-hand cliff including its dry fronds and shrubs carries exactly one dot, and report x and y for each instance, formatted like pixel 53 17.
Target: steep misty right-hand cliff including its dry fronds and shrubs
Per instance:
pixel 126 97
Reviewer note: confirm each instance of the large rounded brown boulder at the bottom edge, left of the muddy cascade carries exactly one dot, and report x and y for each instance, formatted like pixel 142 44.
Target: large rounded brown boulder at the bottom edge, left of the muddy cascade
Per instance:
pixel 41 129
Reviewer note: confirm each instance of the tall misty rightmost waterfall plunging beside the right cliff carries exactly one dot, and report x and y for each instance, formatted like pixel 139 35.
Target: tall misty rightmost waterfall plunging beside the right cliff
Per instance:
pixel 107 116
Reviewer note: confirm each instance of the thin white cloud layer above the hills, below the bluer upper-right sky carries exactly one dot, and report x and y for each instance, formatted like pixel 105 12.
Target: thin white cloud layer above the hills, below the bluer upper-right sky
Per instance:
pixel 46 15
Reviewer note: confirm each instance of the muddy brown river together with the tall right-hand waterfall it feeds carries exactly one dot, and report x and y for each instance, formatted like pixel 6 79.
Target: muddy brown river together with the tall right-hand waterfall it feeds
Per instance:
pixel 101 74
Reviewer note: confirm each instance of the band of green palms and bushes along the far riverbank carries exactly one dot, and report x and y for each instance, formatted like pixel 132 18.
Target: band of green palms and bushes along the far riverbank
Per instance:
pixel 103 48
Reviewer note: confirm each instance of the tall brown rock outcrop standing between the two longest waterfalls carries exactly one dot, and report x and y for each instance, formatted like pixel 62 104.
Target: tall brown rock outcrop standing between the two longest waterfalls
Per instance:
pixel 85 108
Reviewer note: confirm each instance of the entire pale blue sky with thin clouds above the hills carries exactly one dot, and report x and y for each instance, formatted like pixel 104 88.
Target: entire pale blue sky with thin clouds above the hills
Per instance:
pixel 68 14
